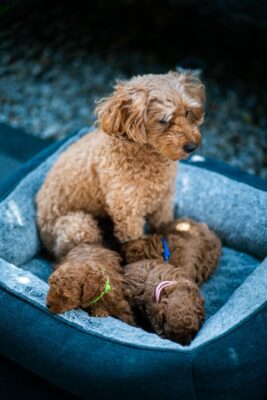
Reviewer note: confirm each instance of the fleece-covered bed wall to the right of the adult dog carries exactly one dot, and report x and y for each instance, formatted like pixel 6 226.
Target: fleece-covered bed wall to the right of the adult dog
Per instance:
pixel 236 211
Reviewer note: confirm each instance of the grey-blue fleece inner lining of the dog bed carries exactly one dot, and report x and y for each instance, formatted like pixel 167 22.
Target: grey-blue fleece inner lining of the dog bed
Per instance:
pixel 236 211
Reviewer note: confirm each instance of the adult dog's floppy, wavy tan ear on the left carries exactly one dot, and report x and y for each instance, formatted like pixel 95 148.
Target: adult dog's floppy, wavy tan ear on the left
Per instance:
pixel 124 112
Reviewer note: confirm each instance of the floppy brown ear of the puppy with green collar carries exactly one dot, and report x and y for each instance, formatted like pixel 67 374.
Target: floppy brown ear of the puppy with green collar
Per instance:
pixel 93 287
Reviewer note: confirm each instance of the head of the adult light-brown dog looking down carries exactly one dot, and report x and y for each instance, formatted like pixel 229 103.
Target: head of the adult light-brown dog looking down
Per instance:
pixel 164 111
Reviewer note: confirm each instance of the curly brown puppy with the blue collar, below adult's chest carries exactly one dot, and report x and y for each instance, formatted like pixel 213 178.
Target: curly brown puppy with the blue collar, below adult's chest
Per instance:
pixel 194 248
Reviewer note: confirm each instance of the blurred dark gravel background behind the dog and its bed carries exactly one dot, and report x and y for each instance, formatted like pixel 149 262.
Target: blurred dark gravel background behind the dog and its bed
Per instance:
pixel 57 58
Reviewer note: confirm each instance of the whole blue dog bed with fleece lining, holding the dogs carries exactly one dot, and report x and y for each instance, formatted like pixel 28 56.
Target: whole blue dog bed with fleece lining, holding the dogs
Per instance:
pixel 104 358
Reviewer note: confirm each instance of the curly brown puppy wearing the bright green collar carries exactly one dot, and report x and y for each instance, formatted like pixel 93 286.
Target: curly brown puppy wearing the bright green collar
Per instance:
pixel 81 276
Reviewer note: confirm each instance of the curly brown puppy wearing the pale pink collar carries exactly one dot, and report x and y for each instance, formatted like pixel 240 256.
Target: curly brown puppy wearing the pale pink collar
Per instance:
pixel 180 312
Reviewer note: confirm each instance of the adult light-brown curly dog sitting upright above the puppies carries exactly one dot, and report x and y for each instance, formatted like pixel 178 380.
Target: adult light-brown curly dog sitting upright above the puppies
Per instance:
pixel 125 169
